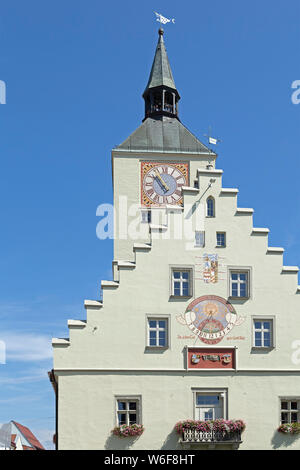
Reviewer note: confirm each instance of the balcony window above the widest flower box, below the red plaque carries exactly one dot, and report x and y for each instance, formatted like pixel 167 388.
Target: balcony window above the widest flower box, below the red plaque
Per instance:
pixel 209 405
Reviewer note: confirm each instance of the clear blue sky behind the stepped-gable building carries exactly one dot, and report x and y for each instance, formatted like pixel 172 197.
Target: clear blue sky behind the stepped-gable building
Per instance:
pixel 75 72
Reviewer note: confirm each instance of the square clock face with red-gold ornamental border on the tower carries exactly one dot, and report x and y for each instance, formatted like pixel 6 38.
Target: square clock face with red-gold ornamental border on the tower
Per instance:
pixel 162 183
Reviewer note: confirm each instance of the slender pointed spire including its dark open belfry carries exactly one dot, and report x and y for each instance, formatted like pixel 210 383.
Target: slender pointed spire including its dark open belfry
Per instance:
pixel 161 96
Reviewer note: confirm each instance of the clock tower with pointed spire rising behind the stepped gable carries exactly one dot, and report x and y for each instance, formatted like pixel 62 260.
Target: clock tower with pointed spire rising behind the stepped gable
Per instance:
pixel 154 165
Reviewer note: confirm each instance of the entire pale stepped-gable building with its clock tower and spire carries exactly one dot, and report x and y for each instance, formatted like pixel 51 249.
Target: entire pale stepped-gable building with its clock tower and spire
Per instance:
pixel 201 320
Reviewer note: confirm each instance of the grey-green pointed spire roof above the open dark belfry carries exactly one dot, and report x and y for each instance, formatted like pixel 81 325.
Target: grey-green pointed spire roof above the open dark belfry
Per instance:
pixel 161 73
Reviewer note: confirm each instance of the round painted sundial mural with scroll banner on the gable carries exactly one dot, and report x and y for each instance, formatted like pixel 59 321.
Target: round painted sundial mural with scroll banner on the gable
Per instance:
pixel 210 318
